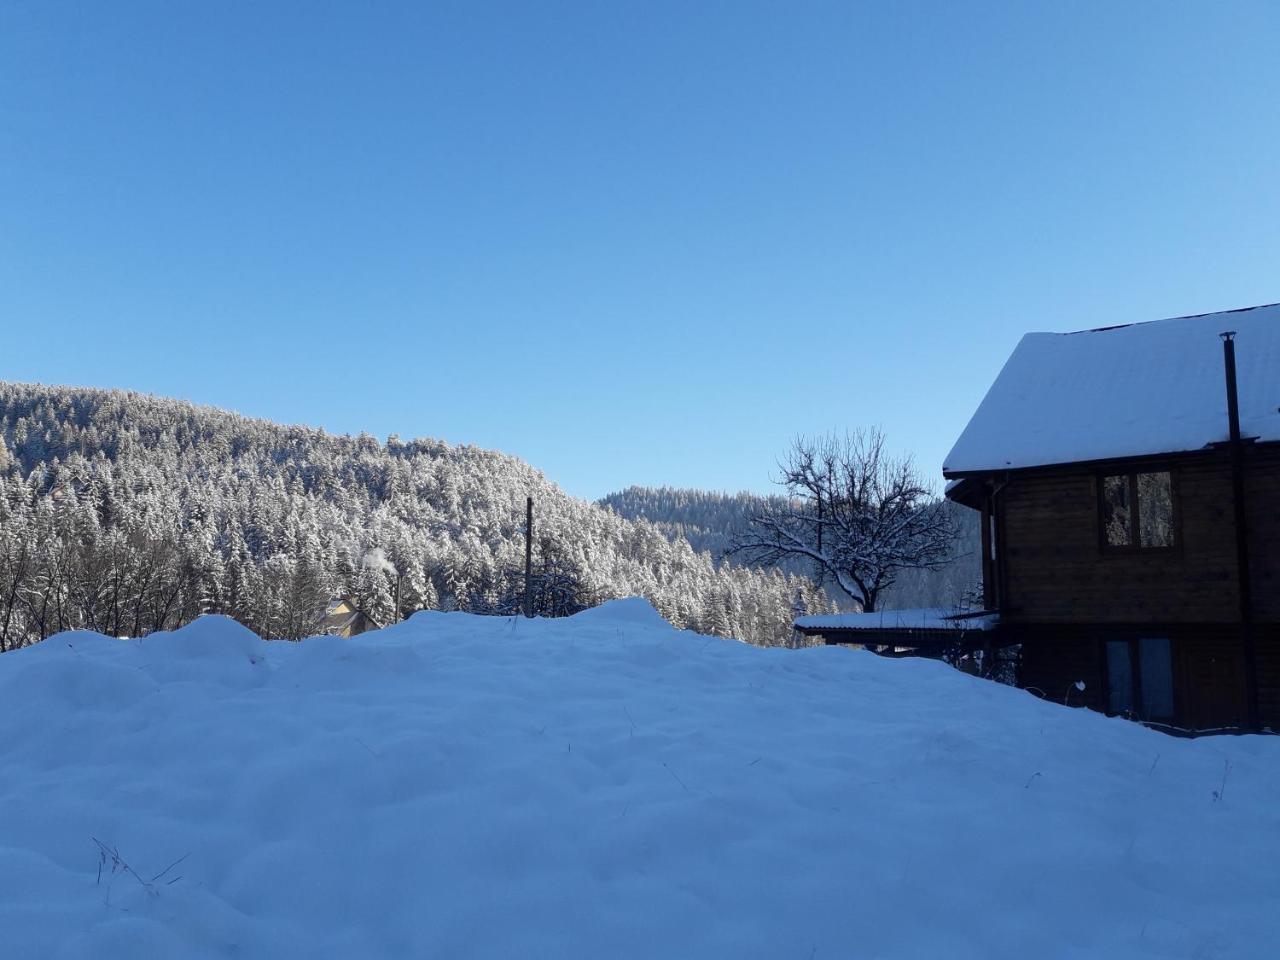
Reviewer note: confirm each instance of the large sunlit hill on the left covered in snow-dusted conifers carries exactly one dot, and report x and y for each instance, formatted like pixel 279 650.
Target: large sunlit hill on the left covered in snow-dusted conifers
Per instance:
pixel 127 514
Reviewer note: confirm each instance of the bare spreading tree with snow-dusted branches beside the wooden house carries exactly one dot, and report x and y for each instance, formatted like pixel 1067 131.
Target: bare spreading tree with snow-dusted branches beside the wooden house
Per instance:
pixel 858 514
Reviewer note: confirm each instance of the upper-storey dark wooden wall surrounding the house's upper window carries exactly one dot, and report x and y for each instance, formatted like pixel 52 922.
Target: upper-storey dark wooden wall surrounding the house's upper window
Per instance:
pixel 1055 569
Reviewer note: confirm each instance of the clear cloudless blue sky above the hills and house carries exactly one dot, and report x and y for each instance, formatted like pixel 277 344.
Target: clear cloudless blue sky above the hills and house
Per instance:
pixel 628 243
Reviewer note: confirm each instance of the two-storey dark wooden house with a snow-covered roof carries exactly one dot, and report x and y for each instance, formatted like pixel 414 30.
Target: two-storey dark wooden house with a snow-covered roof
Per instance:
pixel 1130 486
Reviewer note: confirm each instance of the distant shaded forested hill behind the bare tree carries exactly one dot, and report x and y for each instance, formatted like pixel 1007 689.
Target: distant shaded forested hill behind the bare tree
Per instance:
pixel 711 522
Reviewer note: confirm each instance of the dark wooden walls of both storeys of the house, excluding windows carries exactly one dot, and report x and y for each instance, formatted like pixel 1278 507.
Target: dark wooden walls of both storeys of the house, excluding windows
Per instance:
pixel 1063 596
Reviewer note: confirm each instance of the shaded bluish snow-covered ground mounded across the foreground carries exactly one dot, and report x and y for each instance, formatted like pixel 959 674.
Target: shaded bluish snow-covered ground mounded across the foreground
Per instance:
pixel 604 787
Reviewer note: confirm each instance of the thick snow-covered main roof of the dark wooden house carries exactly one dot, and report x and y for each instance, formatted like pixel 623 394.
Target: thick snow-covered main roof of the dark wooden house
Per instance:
pixel 1124 392
